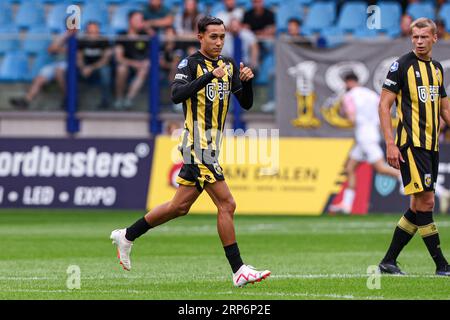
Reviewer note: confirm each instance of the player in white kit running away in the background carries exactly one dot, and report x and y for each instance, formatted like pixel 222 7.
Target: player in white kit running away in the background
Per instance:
pixel 361 107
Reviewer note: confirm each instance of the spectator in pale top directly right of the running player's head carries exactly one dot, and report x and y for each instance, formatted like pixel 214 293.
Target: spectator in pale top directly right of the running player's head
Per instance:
pixel 250 48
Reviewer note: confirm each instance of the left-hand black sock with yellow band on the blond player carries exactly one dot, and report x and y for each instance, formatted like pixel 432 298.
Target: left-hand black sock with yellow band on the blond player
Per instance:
pixel 405 230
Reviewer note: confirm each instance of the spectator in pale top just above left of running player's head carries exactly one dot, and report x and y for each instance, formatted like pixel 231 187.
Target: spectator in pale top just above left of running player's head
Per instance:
pixel 186 19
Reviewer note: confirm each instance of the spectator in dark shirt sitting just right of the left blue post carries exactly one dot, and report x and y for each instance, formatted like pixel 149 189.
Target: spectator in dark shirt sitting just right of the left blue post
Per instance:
pixel 93 61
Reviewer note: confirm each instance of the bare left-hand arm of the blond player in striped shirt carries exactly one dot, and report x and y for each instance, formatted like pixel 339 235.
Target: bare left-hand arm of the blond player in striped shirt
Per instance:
pixel 393 154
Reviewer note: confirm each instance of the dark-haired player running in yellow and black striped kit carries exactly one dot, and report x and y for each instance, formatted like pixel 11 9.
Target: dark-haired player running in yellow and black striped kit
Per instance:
pixel 203 83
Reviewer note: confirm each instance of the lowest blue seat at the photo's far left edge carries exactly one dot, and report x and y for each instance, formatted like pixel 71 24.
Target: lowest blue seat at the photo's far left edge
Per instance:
pixel 14 66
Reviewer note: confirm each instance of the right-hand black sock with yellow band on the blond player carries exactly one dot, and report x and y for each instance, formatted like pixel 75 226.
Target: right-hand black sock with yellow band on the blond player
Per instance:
pixel 430 235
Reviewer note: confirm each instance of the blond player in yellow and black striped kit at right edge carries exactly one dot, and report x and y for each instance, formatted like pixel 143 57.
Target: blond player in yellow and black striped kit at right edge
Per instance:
pixel 416 83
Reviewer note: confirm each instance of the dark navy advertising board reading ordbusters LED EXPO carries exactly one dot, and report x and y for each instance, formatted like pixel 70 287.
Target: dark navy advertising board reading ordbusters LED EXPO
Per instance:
pixel 74 173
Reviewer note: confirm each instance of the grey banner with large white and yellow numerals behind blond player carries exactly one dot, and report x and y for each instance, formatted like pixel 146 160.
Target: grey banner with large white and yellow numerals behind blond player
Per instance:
pixel 309 81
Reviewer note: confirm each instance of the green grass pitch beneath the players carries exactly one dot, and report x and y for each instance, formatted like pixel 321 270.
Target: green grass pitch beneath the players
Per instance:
pixel 310 258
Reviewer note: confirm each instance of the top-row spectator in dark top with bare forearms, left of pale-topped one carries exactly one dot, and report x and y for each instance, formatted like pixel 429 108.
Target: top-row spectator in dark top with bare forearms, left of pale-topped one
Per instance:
pixel 157 16
